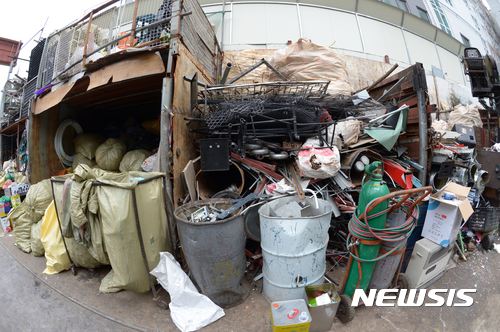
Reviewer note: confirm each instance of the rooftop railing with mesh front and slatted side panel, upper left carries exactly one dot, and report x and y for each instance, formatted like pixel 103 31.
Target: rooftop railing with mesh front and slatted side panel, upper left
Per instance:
pixel 118 24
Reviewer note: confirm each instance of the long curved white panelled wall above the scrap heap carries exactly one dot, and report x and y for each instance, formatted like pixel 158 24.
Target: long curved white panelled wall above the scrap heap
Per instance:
pixel 270 24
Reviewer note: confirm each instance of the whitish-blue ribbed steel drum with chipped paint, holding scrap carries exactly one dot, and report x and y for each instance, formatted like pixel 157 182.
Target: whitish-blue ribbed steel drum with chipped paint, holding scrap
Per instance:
pixel 293 249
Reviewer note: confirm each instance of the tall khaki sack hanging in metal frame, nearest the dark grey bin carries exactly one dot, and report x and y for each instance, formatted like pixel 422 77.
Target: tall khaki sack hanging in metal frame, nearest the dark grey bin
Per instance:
pixel 116 212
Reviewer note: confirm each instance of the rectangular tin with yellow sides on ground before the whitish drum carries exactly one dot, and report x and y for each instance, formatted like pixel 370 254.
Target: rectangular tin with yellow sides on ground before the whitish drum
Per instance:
pixel 290 316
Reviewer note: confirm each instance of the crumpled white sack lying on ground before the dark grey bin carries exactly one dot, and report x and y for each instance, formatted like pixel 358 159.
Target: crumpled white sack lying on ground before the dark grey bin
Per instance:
pixel 190 310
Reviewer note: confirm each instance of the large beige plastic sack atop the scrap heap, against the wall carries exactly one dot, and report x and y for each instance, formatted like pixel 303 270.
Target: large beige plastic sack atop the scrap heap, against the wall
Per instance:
pixel 306 61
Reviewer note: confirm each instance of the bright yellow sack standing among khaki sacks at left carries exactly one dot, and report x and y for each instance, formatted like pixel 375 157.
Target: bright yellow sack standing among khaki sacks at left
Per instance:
pixel 55 252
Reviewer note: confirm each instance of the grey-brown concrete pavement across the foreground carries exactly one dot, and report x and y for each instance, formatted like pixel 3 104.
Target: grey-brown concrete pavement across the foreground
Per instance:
pixel 32 301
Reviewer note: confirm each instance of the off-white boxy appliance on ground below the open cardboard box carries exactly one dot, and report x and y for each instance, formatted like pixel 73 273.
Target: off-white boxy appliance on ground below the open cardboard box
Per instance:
pixel 427 263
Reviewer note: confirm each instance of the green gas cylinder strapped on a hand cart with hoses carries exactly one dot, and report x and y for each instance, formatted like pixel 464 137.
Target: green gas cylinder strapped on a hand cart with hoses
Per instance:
pixel 371 189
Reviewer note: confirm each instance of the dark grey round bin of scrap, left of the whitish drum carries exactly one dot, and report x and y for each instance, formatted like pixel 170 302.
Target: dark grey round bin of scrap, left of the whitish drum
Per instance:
pixel 214 251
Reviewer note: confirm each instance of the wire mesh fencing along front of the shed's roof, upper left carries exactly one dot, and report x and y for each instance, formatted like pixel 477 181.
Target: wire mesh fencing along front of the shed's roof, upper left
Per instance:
pixel 65 50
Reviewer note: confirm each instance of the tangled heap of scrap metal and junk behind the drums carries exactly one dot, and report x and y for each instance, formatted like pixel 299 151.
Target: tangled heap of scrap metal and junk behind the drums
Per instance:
pixel 292 138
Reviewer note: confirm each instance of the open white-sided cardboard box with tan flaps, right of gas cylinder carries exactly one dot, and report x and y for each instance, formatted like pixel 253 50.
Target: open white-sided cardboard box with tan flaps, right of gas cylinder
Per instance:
pixel 445 216
